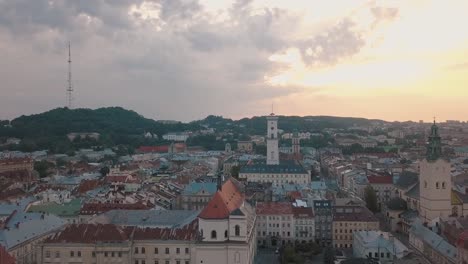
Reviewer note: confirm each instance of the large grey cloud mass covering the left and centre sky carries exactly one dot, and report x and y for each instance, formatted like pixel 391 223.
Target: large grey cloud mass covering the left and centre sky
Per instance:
pixel 163 58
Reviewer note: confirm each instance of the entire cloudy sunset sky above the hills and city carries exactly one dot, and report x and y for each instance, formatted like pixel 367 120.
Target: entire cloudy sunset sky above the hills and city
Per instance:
pixel 187 59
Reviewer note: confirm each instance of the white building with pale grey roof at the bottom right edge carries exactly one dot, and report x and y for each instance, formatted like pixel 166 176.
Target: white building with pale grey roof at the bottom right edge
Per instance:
pixel 377 244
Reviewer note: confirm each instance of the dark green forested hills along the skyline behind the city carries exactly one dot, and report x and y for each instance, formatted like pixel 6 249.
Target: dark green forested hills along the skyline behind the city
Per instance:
pixel 118 126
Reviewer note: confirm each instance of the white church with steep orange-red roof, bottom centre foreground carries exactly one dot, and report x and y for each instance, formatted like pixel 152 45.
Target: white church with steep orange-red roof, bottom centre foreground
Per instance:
pixel 227 226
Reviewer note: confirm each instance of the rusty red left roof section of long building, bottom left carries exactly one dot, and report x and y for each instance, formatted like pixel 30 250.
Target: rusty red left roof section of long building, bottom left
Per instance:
pixel 89 233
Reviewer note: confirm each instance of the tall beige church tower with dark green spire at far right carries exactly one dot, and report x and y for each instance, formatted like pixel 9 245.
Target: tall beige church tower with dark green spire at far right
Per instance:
pixel 435 185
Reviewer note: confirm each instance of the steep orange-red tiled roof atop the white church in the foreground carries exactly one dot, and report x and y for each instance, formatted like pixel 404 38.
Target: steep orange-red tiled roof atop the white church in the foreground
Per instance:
pixel 223 202
